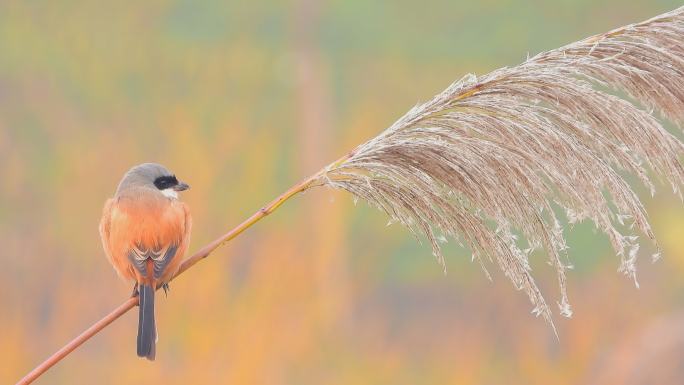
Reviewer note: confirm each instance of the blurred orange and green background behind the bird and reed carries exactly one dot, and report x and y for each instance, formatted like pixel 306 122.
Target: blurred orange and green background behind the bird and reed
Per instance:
pixel 243 99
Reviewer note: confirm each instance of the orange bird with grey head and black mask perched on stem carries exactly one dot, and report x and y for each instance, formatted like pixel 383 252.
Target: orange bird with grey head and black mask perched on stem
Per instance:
pixel 145 231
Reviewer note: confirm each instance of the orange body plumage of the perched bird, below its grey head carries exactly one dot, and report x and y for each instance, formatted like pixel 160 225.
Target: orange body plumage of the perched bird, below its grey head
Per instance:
pixel 146 220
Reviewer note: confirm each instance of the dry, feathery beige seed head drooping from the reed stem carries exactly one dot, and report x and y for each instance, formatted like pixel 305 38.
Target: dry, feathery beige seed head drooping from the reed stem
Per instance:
pixel 504 153
